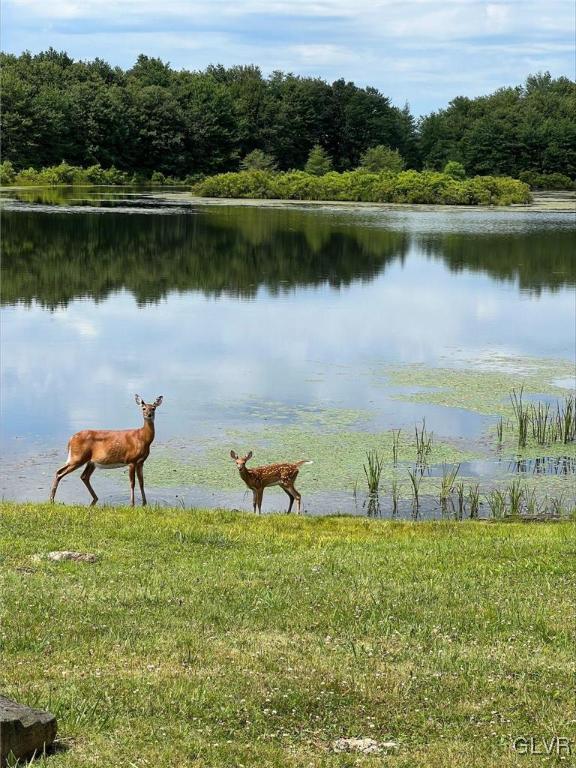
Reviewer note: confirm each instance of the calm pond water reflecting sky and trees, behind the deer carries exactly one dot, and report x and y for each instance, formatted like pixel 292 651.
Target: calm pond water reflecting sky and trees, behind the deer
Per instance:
pixel 277 329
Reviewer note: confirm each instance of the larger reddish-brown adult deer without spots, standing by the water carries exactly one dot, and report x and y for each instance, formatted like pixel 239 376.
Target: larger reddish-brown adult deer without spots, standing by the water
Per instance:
pixel 108 448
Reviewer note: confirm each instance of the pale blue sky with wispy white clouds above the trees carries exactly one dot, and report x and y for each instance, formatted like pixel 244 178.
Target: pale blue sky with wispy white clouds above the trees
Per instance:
pixel 421 51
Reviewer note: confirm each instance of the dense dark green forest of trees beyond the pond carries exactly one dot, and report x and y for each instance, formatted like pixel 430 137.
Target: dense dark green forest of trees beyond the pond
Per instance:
pixel 190 124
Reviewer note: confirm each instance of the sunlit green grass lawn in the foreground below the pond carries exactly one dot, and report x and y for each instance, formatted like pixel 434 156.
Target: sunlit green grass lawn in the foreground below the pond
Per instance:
pixel 225 639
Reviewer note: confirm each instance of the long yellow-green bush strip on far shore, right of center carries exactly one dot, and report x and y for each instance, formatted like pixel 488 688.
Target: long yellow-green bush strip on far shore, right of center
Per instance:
pixel 427 187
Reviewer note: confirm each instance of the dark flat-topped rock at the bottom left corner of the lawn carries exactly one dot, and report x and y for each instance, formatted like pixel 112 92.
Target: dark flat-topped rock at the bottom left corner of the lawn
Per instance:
pixel 24 731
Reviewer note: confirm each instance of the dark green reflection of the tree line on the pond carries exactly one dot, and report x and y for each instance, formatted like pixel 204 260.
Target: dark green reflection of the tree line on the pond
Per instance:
pixel 55 257
